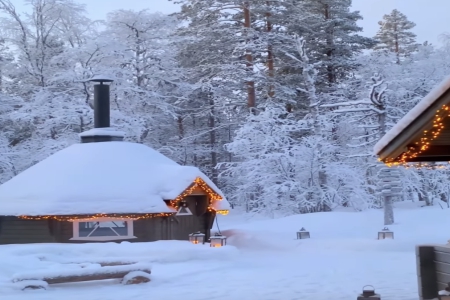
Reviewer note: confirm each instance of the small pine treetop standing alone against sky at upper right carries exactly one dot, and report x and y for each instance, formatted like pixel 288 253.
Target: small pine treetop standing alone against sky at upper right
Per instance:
pixel 395 34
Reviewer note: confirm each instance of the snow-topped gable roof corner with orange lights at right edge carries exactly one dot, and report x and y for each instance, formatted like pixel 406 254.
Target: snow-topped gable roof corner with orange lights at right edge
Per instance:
pixel 423 134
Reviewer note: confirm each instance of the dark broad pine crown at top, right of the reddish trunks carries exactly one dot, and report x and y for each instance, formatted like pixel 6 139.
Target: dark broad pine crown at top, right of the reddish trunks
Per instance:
pixel 330 30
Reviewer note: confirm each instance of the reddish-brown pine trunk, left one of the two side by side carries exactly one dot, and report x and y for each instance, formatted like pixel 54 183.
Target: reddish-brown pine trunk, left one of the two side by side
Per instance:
pixel 251 102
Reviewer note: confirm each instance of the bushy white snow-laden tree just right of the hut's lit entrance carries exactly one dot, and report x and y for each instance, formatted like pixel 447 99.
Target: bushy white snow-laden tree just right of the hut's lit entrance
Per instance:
pixel 285 164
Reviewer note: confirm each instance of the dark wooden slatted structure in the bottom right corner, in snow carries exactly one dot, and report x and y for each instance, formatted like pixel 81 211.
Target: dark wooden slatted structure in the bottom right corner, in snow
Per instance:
pixel 433 270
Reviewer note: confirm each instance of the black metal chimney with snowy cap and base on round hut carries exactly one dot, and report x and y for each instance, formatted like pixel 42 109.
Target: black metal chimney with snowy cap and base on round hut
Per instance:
pixel 102 131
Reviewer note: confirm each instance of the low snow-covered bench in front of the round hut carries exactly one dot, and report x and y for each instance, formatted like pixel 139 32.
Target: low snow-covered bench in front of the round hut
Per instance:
pixel 130 274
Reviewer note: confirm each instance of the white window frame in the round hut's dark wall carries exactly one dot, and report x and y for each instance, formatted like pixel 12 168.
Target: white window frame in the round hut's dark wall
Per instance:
pixel 76 230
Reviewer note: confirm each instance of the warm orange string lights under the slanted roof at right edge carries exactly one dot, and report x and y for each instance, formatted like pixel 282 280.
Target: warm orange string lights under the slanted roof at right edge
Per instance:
pixel 423 144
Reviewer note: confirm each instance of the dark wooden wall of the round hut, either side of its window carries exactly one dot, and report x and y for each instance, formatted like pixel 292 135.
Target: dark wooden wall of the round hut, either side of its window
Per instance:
pixel 14 230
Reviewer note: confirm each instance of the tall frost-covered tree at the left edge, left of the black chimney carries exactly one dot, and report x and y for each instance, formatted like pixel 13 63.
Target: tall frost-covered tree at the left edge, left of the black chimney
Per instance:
pixel 50 113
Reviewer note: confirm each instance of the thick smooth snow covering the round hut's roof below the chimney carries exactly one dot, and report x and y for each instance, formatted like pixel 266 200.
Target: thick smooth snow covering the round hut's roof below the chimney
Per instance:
pixel 106 177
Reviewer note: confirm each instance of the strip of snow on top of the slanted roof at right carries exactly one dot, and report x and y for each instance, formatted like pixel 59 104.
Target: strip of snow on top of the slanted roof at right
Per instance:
pixel 426 102
